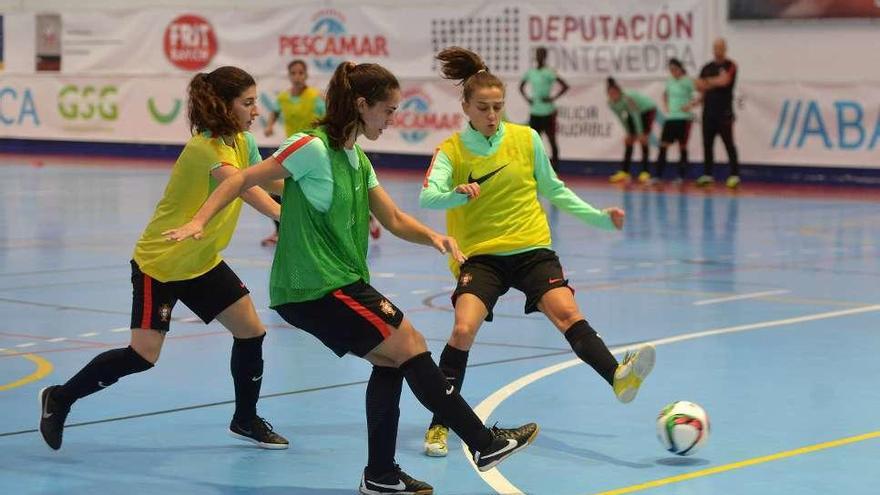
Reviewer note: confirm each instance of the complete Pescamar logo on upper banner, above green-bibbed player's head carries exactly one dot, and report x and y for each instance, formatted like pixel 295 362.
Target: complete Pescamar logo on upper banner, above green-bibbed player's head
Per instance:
pixel 330 43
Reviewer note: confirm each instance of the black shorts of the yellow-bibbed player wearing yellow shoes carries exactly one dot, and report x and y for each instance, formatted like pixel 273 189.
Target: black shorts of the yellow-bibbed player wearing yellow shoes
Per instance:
pixel 490 276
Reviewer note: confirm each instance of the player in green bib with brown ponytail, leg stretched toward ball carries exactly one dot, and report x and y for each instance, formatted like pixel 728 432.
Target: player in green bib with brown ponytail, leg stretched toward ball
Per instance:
pixel 320 281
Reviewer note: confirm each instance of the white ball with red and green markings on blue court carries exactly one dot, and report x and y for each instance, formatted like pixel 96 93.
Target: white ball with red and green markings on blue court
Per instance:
pixel 683 427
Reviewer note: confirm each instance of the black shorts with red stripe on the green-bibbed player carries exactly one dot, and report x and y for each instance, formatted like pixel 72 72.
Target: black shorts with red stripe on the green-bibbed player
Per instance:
pixel 349 319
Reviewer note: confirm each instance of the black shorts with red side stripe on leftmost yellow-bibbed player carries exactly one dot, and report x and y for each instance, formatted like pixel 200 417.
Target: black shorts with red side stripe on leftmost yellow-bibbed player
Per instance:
pixel 206 295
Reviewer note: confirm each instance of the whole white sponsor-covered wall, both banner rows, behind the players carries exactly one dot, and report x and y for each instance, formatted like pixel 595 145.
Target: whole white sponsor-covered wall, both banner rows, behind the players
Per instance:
pixel 804 95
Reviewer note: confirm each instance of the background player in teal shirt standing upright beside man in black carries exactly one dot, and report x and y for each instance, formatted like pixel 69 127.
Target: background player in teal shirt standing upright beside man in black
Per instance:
pixel 677 103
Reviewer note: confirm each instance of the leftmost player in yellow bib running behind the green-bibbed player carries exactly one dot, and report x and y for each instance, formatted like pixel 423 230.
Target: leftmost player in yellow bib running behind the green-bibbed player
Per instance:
pixel 222 107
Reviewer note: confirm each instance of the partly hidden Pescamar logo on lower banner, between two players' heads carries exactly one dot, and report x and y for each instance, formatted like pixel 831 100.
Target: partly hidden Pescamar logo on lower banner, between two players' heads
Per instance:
pixel 416 118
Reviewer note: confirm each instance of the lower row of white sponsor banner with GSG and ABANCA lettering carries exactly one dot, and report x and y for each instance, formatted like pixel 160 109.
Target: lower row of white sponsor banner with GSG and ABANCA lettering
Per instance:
pixel 777 123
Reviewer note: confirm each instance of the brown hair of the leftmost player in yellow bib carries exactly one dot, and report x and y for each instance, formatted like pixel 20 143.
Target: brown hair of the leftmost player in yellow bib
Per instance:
pixel 210 100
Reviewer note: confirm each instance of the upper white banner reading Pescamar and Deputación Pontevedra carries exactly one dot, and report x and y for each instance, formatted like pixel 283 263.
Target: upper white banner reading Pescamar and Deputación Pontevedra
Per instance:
pixel 588 38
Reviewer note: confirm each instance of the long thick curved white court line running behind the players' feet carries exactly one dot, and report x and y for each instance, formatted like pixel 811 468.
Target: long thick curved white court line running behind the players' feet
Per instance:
pixel 500 484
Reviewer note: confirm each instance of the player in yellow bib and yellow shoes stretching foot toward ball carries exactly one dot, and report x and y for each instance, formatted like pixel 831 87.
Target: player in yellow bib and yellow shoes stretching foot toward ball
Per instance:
pixel 488 178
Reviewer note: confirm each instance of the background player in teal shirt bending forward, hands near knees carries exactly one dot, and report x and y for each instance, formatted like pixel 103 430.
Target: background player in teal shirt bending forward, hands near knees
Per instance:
pixel 636 113
